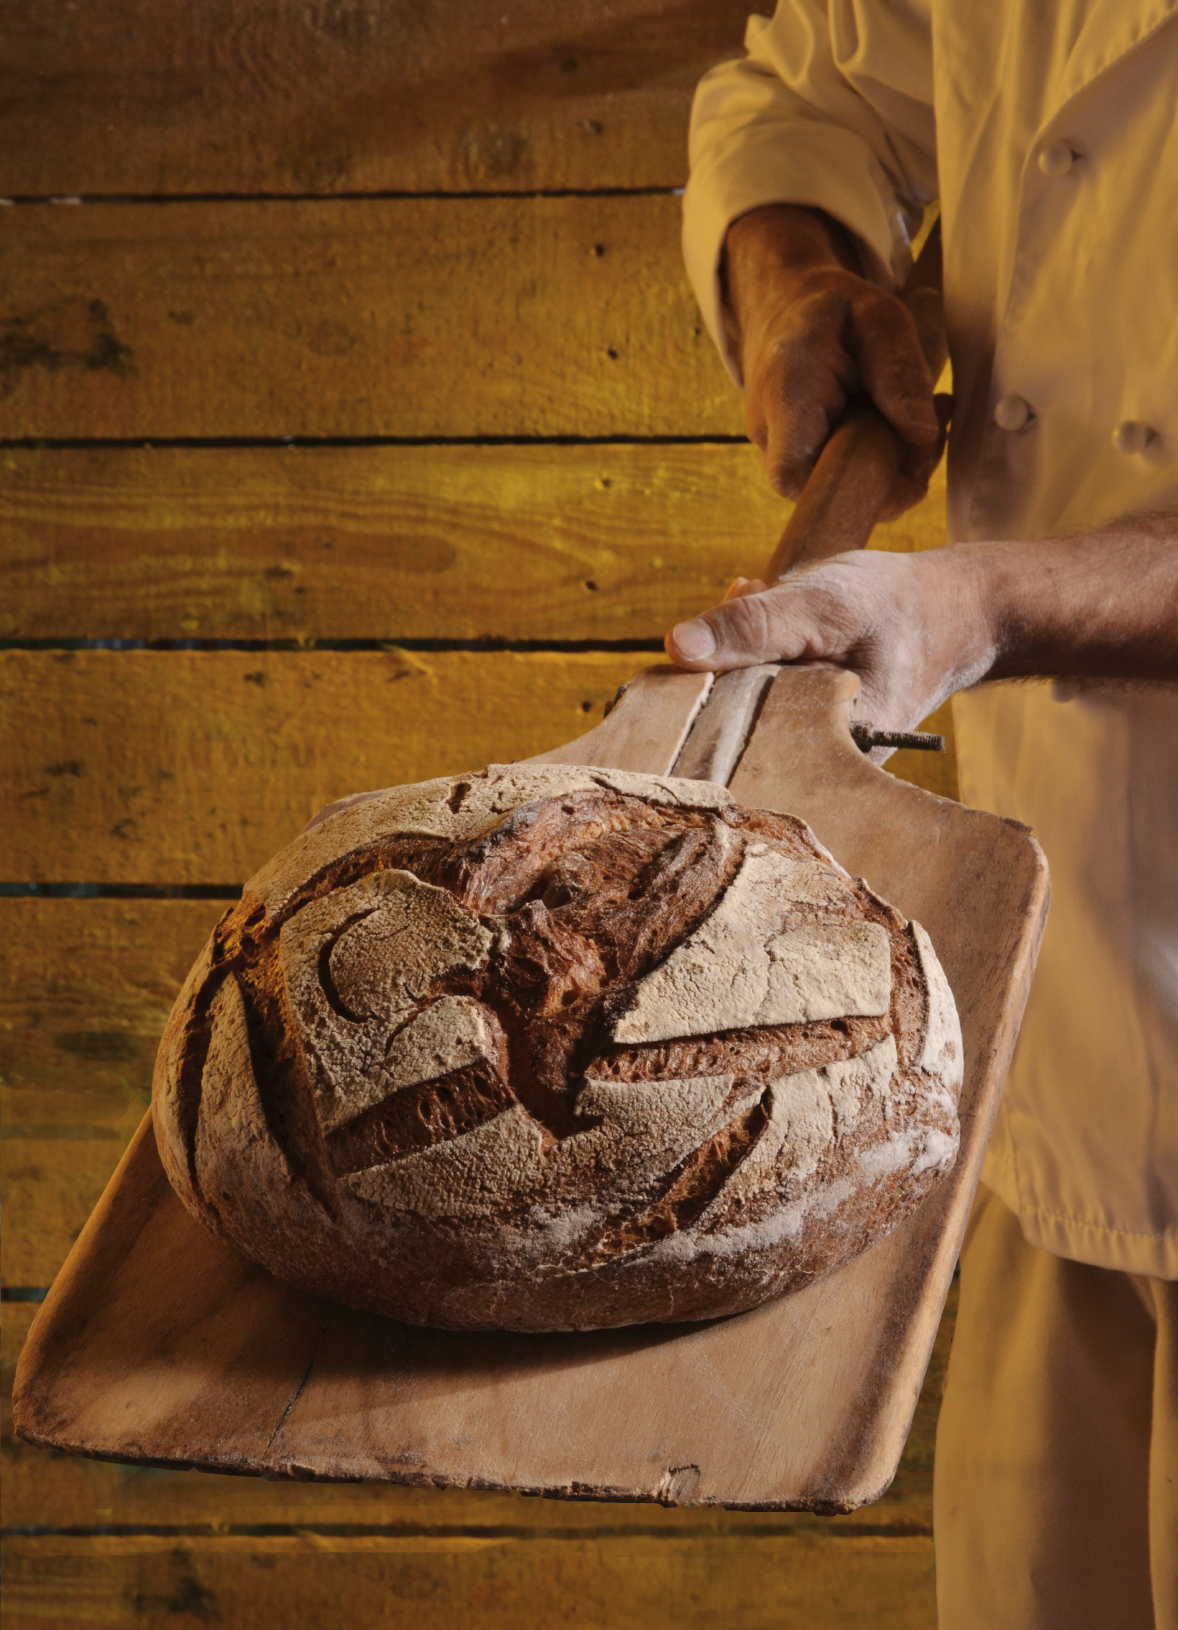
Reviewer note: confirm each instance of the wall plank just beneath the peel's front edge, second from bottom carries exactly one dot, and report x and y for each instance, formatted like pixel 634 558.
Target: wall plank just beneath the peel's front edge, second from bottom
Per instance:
pixel 45 1491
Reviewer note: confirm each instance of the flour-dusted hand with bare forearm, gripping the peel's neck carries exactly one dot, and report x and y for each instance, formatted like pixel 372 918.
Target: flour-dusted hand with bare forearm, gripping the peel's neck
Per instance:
pixel 920 627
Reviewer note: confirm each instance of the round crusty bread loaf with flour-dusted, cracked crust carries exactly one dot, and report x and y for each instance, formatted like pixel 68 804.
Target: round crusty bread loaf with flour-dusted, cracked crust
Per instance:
pixel 558 1049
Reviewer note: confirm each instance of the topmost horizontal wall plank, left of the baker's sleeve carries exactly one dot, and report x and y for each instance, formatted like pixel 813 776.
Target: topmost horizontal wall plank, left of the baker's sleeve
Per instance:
pixel 284 97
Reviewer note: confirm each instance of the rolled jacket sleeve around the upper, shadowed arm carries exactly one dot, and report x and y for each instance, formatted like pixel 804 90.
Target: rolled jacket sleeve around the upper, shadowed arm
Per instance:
pixel 832 108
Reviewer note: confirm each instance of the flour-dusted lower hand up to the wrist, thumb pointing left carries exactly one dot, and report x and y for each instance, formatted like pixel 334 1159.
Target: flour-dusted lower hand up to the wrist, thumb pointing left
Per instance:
pixel 913 627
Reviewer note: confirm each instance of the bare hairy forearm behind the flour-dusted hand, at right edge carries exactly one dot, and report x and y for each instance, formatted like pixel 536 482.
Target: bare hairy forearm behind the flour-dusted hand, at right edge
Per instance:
pixel 1104 604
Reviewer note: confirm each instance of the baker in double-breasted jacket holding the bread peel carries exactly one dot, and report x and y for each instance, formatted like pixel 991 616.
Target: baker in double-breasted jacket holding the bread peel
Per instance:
pixel 1050 136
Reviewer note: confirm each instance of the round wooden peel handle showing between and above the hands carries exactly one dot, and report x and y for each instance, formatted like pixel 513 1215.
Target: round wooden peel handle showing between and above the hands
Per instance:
pixel 863 457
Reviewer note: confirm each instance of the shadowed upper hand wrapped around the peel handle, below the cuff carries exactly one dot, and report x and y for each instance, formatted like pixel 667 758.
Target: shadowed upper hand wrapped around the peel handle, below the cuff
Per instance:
pixel 811 332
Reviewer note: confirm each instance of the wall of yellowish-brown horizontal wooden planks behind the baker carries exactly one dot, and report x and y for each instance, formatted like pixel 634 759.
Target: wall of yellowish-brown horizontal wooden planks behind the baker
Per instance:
pixel 356 426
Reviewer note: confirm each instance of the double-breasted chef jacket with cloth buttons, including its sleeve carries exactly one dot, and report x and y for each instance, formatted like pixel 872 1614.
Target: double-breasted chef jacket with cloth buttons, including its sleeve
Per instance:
pixel 1048 130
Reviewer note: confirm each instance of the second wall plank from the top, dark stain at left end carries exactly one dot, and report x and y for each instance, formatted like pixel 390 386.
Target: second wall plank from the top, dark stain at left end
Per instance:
pixel 380 317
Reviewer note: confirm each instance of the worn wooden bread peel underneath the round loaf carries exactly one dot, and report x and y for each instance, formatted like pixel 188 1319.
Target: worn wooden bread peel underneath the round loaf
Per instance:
pixel 159 1344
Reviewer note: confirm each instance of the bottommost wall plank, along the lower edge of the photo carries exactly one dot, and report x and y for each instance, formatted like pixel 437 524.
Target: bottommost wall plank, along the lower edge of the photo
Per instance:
pixel 607 1584
